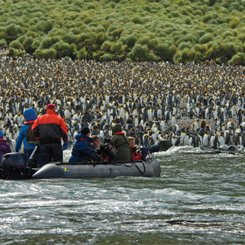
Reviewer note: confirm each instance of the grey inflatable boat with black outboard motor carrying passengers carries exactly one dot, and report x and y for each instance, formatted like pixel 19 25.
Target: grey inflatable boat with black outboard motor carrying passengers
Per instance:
pixel 13 167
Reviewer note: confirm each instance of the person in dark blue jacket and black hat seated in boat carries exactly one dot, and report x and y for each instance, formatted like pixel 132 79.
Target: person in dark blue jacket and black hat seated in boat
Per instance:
pixel 83 150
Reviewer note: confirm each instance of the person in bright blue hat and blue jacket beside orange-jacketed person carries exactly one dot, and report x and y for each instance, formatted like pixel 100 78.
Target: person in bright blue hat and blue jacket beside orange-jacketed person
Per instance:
pixel 26 135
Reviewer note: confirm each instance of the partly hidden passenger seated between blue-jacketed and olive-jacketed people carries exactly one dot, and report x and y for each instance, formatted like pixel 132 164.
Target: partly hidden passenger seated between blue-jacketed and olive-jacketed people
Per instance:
pixel 104 151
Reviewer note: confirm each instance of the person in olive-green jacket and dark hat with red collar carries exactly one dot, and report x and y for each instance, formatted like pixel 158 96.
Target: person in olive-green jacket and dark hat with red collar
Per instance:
pixel 120 142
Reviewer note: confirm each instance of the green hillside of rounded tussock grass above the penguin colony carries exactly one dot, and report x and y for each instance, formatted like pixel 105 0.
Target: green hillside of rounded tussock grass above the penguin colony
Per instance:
pixel 169 30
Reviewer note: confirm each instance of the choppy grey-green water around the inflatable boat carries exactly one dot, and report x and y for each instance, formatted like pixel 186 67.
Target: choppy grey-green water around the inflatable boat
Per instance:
pixel 199 199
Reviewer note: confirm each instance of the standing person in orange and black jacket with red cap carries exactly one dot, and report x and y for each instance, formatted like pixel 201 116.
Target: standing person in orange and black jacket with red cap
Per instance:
pixel 51 130
